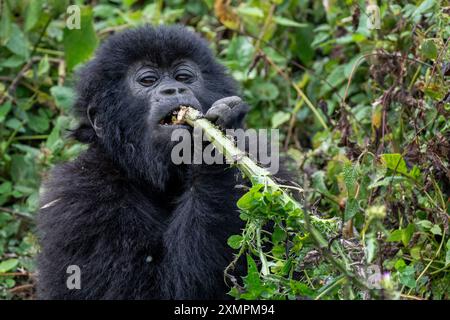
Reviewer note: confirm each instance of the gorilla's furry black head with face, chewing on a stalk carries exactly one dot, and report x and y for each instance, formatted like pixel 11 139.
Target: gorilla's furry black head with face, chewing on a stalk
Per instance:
pixel 129 93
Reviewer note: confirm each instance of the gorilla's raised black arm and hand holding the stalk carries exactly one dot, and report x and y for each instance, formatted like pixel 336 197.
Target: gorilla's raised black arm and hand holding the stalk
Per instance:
pixel 196 250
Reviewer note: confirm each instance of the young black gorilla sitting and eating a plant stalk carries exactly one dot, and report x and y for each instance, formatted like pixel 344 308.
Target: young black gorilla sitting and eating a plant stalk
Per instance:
pixel 138 226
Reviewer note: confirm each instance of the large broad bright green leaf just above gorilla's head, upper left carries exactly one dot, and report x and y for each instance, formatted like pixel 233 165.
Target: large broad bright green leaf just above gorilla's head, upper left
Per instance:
pixel 80 44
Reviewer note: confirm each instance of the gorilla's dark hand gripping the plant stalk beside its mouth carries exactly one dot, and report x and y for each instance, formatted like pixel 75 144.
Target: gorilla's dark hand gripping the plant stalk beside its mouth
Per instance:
pixel 228 113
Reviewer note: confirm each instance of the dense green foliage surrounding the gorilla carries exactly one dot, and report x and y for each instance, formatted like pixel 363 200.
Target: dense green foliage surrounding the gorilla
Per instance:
pixel 362 111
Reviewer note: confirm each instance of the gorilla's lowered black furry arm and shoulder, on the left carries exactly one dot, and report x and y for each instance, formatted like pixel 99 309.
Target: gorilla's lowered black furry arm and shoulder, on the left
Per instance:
pixel 114 240
